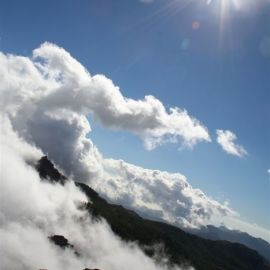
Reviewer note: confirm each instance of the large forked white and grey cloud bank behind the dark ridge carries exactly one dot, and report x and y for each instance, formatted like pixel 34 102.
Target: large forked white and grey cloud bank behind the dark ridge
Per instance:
pixel 47 99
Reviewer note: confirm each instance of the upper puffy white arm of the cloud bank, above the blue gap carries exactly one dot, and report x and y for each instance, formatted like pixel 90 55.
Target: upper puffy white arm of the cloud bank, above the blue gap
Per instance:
pixel 73 88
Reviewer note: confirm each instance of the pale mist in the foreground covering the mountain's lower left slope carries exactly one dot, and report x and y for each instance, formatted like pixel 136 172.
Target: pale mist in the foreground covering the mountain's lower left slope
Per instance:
pixel 31 210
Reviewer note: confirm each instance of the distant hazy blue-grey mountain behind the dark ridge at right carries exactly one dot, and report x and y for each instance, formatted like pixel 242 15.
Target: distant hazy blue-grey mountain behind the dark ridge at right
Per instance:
pixel 235 236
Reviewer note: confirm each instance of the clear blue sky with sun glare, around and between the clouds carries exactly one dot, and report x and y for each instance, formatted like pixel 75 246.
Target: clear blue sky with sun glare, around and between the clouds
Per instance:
pixel 188 54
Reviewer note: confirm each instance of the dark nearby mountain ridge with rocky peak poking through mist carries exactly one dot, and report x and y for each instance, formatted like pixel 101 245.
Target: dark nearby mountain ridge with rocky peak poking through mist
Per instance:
pixel 181 247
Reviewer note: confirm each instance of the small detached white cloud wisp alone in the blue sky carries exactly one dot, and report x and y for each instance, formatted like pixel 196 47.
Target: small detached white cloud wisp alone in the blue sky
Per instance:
pixel 226 139
